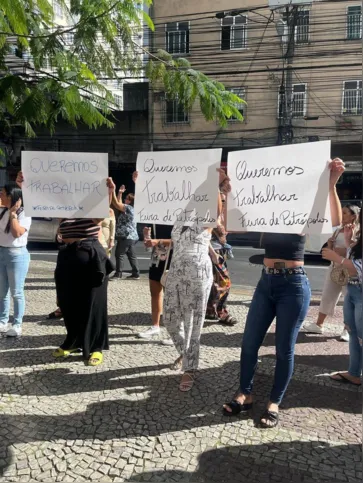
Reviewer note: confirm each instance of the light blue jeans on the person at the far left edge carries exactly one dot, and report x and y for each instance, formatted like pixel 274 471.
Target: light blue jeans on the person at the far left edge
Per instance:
pixel 14 265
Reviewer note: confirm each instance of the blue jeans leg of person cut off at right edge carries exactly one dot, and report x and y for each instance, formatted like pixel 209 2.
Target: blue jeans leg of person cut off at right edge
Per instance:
pixel 353 317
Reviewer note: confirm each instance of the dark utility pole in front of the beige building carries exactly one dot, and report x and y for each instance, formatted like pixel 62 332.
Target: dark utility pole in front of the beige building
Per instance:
pixel 285 133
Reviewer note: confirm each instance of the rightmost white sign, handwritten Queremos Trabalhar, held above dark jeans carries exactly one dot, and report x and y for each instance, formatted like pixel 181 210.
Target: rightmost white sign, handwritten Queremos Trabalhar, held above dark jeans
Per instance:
pixel 280 190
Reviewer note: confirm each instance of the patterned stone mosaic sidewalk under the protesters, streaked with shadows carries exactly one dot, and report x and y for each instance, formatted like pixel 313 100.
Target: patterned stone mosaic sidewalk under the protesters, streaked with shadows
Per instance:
pixel 126 421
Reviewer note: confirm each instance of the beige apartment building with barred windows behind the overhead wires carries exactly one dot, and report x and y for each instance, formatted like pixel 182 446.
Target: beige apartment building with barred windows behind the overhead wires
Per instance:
pixel 244 45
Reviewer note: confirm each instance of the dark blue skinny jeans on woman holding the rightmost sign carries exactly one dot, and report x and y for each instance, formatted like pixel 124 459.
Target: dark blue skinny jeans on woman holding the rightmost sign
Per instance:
pixel 286 297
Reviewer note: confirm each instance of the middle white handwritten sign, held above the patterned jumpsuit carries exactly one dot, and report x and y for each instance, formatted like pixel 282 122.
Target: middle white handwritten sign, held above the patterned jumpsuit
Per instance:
pixel 178 186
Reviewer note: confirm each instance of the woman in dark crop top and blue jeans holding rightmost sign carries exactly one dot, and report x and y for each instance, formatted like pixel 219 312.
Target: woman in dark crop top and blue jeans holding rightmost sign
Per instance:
pixel 282 292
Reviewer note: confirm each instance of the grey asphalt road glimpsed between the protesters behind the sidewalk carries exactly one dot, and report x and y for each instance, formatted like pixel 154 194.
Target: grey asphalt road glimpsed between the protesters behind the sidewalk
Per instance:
pixel 245 268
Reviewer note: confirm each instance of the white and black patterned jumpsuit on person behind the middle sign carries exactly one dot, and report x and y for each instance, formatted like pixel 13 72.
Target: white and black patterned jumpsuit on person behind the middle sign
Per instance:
pixel 187 290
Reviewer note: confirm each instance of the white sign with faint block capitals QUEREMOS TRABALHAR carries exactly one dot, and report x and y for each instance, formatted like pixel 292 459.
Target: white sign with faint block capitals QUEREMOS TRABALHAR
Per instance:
pixel 65 185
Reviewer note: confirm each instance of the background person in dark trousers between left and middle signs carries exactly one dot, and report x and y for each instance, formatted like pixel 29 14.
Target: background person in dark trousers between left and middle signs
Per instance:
pixel 126 234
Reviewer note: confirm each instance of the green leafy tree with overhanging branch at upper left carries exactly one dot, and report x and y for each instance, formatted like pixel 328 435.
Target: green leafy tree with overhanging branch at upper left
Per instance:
pixel 102 46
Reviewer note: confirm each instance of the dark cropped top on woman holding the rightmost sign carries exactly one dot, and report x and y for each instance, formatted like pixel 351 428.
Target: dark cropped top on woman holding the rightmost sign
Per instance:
pixel 284 246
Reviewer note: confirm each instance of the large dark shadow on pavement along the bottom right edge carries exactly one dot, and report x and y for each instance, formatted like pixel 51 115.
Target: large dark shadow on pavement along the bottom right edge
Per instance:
pixel 292 462
